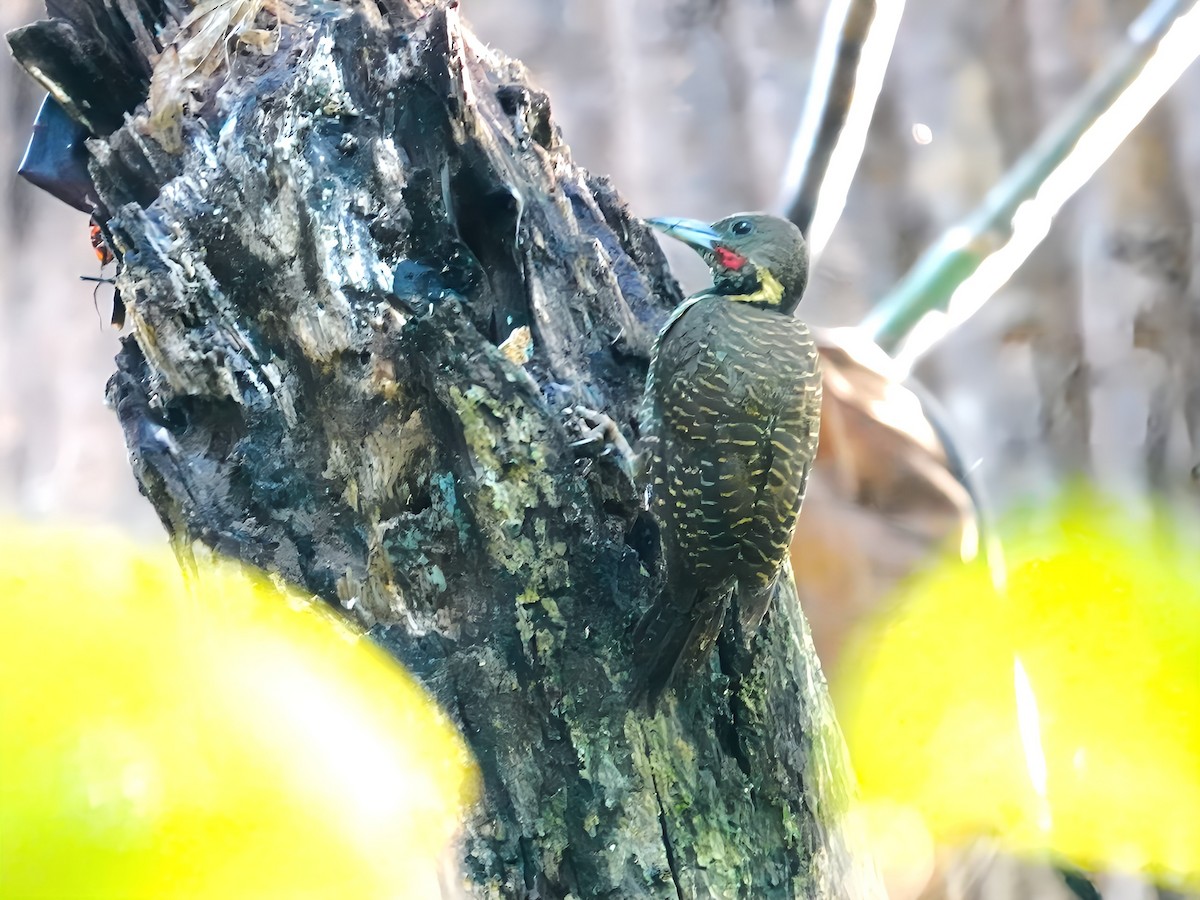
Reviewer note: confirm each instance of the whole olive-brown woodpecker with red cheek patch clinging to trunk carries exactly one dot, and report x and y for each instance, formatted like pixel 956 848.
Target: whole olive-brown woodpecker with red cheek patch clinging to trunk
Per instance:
pixel 731 413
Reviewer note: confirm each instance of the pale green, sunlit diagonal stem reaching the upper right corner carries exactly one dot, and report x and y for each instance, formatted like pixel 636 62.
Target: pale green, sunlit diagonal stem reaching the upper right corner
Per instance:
pixel 974 260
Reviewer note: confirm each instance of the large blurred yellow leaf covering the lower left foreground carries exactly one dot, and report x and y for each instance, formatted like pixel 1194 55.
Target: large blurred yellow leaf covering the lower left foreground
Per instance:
pixel 223 739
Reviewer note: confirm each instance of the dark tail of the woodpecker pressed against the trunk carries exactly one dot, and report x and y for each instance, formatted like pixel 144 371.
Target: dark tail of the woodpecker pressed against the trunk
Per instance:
pixel 676 635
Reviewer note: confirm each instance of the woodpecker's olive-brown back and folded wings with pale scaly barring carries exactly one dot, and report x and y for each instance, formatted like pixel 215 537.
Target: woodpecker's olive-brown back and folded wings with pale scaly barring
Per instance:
pixel 735 403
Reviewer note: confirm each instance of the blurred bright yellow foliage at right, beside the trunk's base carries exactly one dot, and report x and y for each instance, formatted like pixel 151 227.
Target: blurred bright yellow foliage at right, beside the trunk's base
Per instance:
pixel 1058 713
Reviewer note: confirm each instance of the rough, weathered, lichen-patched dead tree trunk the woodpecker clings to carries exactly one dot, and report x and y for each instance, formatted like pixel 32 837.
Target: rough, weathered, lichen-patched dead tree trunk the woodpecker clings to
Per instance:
pixel 333 238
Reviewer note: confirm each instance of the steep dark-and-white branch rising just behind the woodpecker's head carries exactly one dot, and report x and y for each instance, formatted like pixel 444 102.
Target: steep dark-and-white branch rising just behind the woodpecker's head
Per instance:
pixel 853 55
